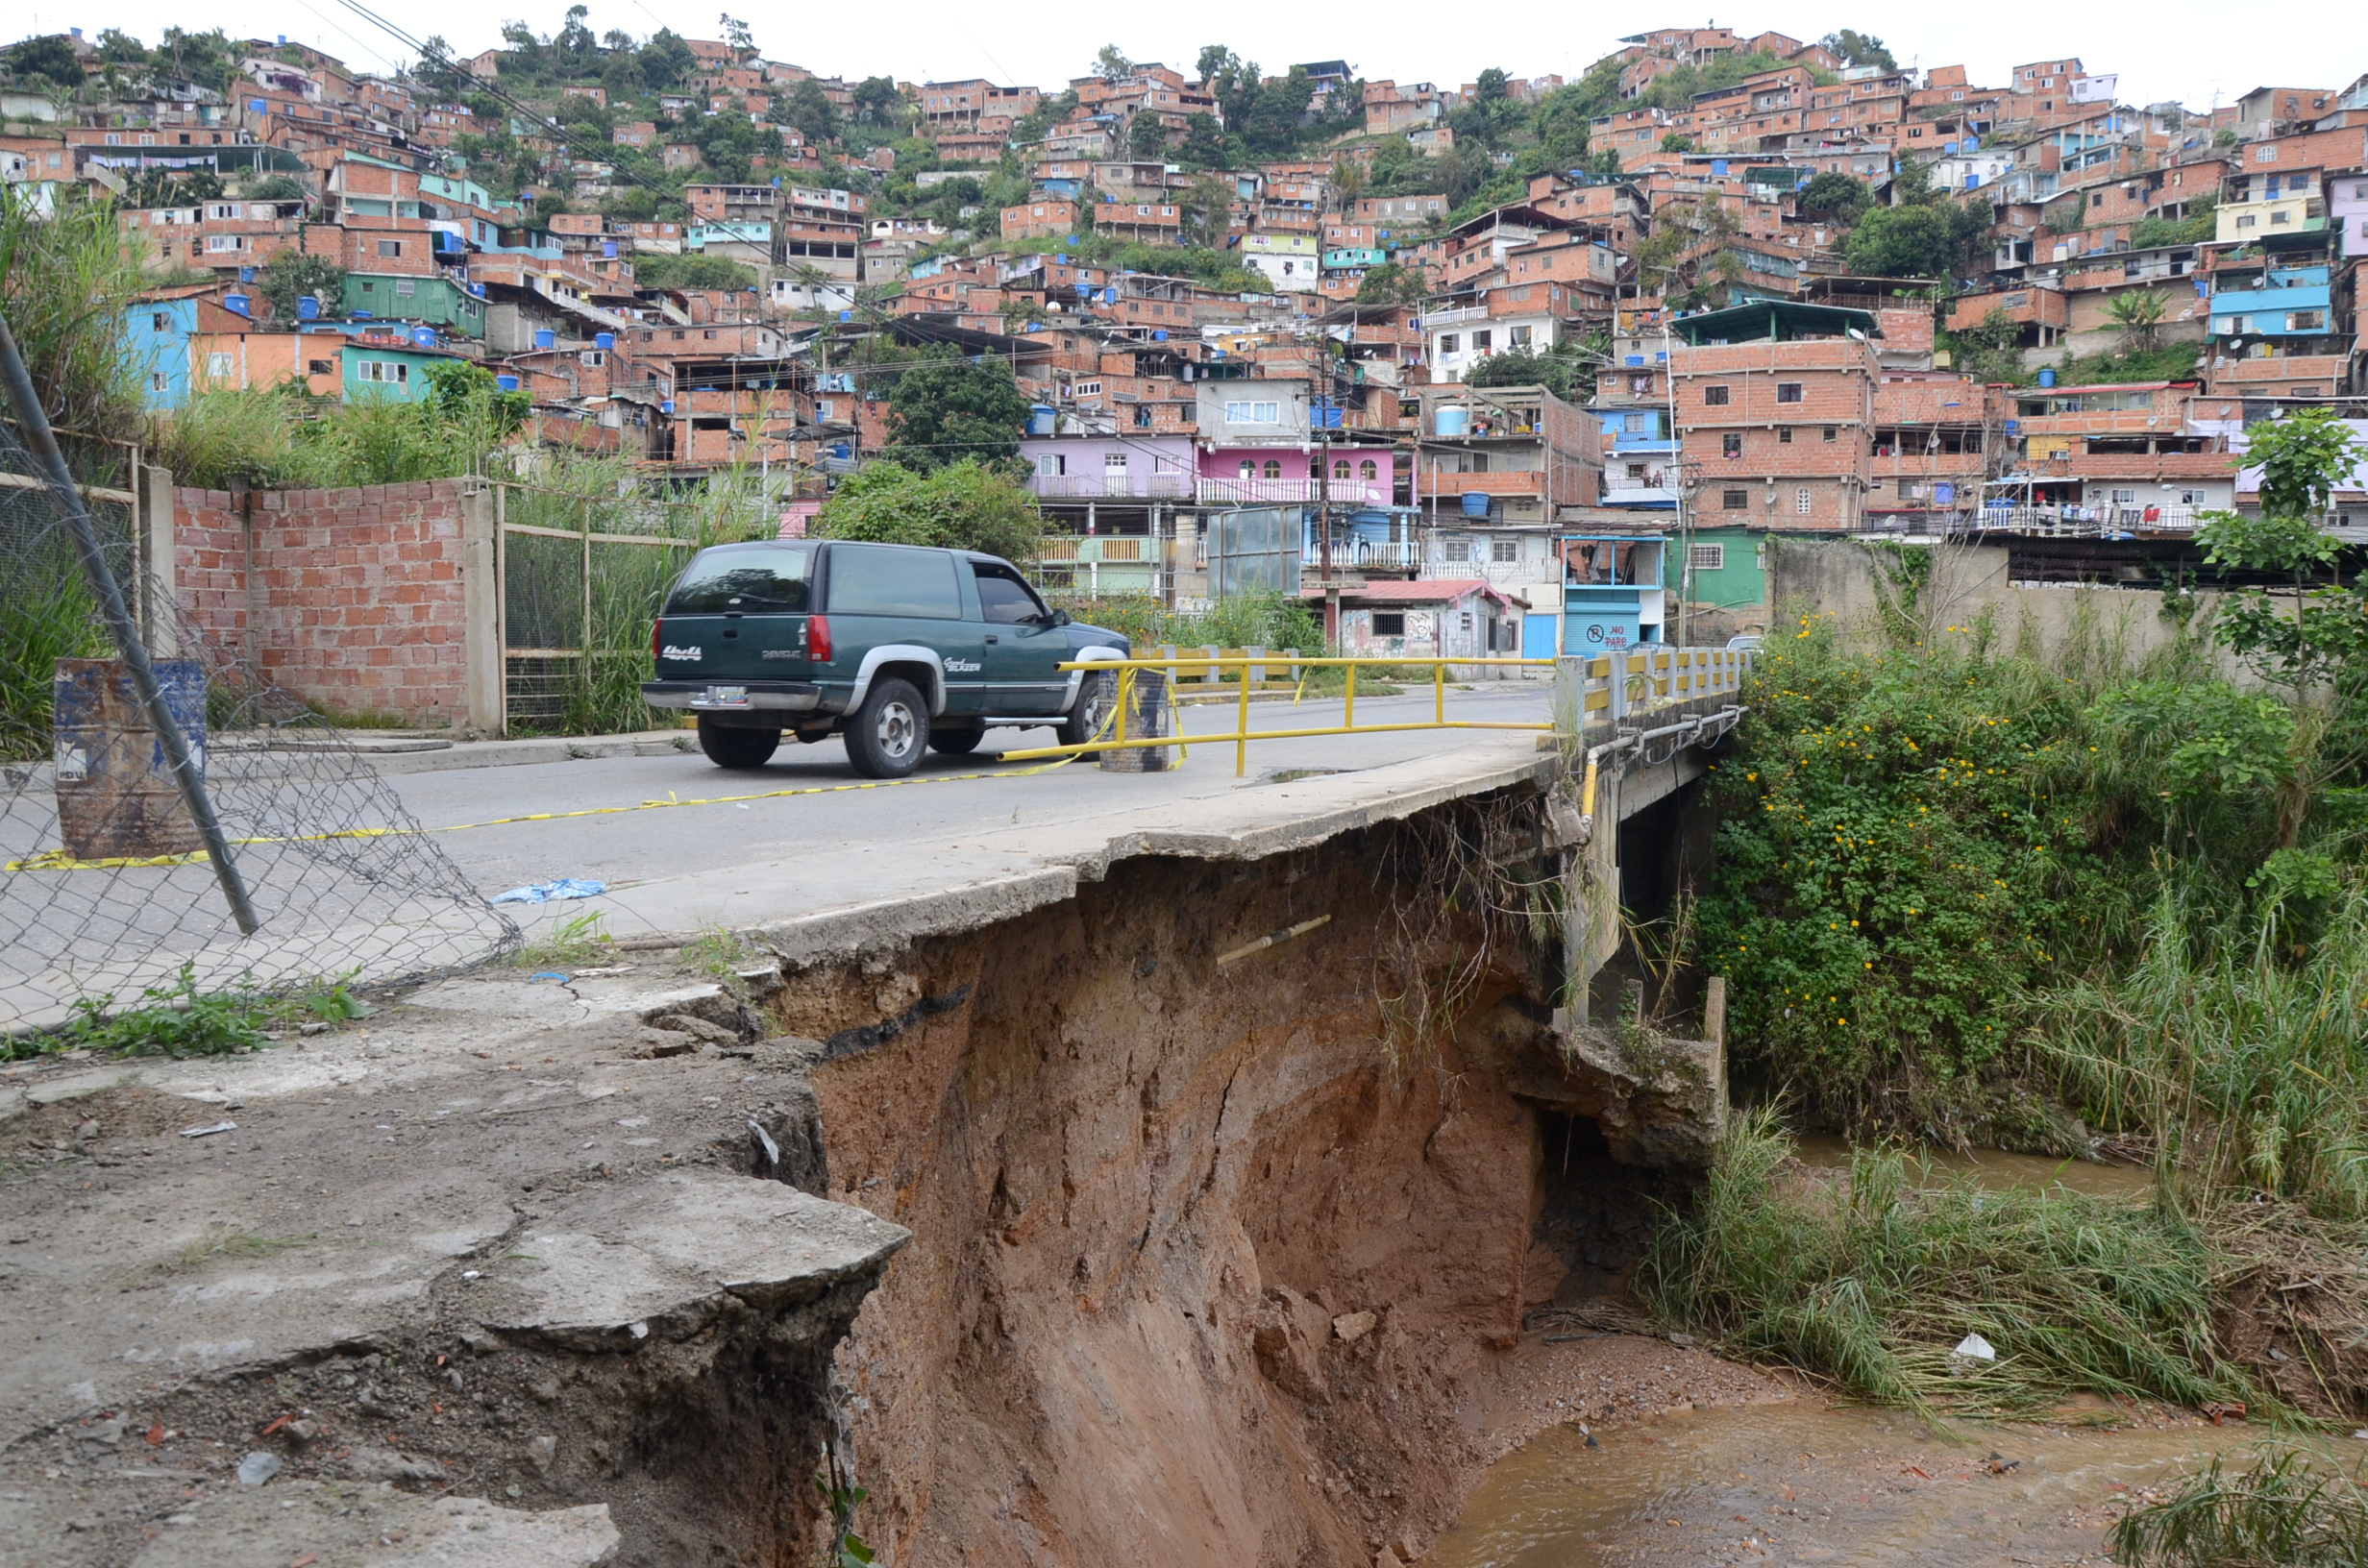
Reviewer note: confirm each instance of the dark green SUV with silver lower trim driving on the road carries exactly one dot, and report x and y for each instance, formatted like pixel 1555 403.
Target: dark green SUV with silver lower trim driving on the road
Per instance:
pixel 889 645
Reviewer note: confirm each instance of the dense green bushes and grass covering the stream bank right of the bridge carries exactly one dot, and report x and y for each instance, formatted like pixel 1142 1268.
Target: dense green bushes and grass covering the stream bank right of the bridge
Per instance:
pixel 1978 897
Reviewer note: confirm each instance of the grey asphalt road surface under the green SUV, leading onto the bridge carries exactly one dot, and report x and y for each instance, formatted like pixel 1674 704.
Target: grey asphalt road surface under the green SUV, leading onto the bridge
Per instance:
pixel 941 811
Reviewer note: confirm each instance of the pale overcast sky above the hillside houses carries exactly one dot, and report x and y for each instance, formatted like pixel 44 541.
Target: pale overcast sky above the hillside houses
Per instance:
pixel 2166 51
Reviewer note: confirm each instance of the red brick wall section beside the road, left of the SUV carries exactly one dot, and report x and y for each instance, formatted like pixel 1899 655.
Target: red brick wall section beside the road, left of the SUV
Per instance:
pixel 359 591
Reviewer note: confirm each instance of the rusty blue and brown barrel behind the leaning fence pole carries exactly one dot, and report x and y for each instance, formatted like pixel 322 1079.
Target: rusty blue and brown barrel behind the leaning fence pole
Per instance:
pixel 115 790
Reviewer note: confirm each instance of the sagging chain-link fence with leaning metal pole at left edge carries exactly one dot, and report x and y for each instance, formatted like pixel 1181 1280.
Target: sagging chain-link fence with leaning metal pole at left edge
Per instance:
pixel 105 887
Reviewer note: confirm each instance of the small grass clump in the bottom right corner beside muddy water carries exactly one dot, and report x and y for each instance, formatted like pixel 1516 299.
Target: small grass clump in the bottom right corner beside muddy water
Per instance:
pixel 2293 1508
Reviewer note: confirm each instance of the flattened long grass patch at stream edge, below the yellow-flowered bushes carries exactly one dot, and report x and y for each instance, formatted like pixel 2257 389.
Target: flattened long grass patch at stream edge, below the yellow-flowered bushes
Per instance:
pixel 1874 1275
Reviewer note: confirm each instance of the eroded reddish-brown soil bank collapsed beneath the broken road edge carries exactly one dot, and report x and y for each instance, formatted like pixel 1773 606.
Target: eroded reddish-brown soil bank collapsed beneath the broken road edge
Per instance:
pixel 1195 1275
